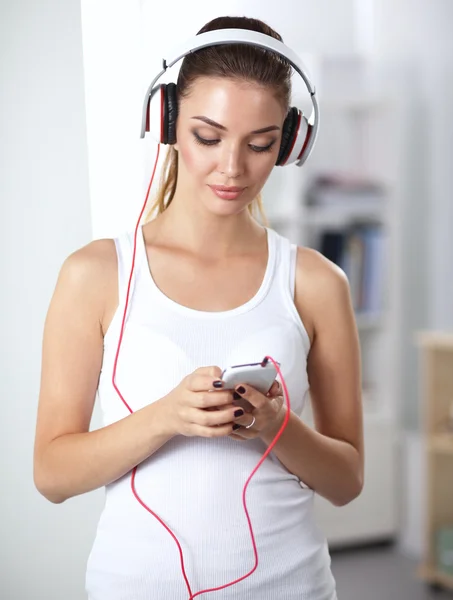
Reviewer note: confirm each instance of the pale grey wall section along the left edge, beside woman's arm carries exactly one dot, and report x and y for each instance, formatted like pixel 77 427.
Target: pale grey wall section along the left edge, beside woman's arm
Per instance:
pixel 45 215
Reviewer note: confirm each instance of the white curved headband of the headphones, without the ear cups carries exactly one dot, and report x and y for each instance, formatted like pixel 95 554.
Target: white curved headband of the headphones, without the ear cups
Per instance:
pixel 239 36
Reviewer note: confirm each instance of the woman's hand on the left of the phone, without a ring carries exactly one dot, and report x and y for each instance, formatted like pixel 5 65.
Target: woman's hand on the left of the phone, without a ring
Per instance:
pixel 196 408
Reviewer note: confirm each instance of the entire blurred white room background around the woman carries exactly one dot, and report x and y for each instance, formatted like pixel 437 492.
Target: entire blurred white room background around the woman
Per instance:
pixel 375 197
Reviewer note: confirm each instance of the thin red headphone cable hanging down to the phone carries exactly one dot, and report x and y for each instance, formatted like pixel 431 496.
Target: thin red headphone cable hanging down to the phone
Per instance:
pixel 134 470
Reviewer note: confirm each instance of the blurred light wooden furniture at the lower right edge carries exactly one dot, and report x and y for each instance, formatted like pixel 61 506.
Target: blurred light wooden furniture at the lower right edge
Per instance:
pixel 436 361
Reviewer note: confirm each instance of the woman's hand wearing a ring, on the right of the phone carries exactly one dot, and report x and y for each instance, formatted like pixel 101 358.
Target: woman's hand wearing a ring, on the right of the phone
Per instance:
pixel 269 412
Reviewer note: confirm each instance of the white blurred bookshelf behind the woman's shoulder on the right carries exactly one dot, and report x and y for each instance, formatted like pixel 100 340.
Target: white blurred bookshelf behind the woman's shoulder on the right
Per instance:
pixel 348 196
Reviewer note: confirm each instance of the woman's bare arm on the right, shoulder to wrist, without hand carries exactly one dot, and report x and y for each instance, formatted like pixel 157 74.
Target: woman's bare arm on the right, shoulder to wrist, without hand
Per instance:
pixel 329 459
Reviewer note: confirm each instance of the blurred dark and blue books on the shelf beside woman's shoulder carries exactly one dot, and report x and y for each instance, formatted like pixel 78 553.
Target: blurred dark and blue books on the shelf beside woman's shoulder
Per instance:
pixel 360 251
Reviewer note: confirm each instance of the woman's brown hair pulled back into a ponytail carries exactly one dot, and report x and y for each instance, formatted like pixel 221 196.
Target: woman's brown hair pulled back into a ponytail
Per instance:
pixel 235 61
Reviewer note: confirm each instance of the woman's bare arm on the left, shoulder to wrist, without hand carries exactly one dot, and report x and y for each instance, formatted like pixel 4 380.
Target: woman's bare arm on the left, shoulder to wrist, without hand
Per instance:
pixel 68 459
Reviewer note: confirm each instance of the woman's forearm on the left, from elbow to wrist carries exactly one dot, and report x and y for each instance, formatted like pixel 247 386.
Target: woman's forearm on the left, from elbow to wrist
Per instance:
pixel 81 462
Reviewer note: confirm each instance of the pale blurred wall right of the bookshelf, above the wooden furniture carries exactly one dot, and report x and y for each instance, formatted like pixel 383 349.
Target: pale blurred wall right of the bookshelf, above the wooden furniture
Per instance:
pixel 414 42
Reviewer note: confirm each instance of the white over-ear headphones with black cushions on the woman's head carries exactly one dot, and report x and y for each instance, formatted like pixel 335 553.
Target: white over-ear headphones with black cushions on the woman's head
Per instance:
pixel 160 108
